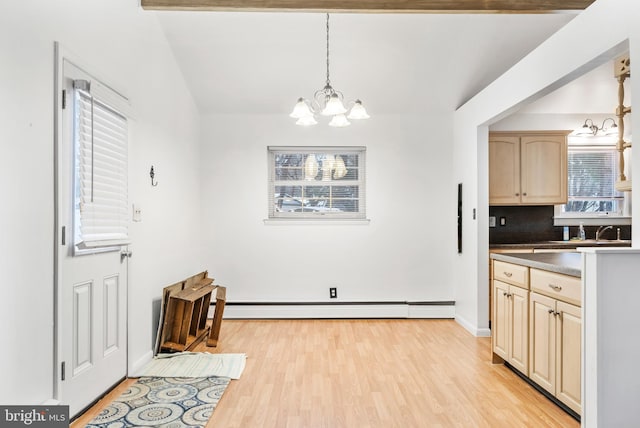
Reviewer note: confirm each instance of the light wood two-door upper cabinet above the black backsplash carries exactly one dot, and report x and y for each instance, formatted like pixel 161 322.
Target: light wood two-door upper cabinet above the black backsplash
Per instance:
pixel 528 168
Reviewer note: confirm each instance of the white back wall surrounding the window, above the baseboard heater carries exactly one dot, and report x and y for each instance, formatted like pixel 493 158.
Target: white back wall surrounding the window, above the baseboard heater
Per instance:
pixel 404 254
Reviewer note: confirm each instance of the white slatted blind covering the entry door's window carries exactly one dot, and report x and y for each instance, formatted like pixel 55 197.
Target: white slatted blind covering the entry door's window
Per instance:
pixel 101 135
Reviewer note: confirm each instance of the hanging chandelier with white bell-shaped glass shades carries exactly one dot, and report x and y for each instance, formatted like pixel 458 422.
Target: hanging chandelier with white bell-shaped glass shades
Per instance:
pixel 327 102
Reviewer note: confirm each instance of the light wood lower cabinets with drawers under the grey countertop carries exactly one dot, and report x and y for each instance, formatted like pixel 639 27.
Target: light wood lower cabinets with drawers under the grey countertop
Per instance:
pixel 538 330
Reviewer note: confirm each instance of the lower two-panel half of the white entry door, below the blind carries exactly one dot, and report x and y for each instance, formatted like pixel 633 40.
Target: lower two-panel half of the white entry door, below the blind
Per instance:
pixel 93 314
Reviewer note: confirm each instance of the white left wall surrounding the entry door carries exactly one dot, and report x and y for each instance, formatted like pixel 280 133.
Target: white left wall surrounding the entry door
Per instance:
pixel 128 48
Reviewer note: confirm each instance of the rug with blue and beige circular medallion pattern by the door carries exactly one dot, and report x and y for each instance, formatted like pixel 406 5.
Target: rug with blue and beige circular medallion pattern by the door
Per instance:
pixel 164 402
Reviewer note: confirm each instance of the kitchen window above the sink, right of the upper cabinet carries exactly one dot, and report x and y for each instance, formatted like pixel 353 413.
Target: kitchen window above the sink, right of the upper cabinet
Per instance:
pixel 592 170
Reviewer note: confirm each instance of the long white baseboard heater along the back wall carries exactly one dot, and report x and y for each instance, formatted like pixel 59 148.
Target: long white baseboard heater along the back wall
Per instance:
pixel 384 309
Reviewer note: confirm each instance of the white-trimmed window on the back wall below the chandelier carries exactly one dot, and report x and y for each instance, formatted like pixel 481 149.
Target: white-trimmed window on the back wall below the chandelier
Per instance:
pixel 317 183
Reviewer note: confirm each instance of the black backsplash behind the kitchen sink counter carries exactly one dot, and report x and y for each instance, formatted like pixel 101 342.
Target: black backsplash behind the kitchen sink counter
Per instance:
pixel 523 224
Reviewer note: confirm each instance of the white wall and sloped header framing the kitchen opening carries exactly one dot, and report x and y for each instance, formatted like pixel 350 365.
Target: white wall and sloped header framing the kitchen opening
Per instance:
pixel 594 37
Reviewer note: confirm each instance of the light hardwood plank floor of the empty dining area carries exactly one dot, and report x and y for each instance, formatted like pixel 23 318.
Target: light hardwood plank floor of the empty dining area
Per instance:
pixel 368 373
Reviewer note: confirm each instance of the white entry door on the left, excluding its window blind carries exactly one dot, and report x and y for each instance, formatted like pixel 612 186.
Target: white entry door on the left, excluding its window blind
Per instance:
pixel 91 284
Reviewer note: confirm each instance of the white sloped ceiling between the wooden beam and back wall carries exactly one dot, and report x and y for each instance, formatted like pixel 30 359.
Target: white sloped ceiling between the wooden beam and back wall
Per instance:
pixel 246 63
